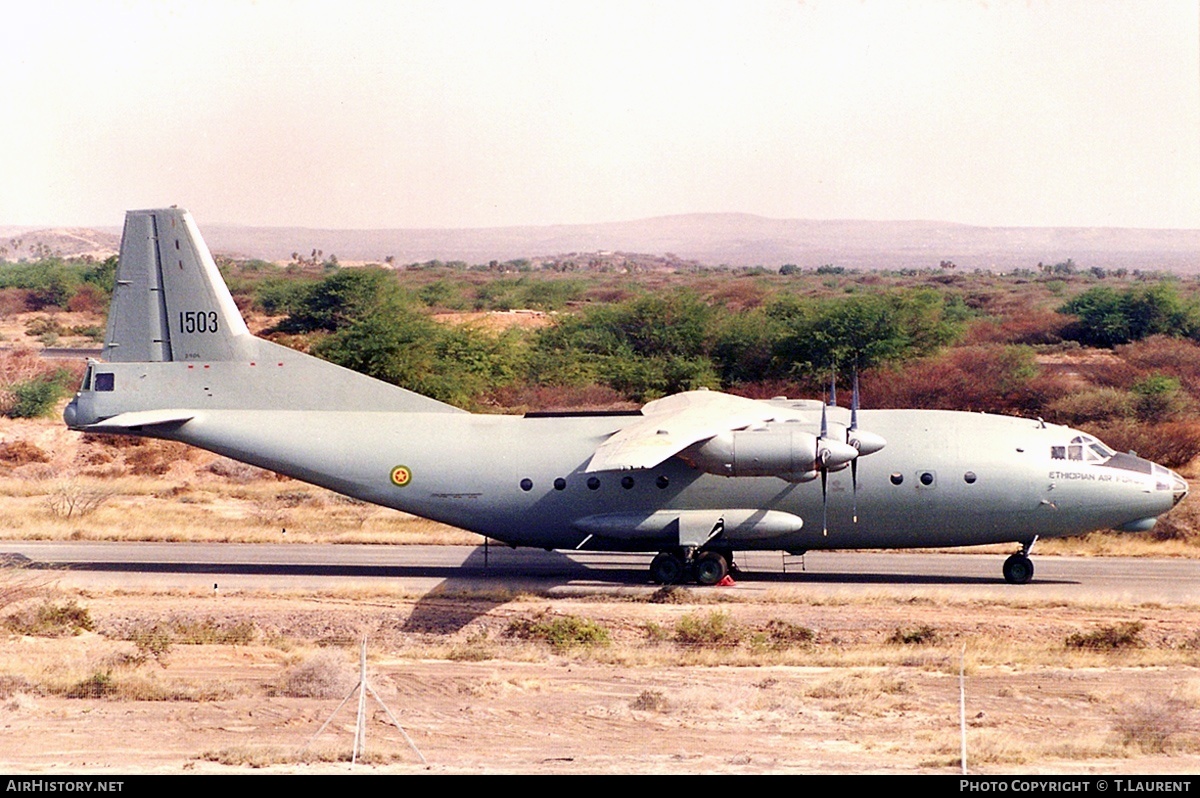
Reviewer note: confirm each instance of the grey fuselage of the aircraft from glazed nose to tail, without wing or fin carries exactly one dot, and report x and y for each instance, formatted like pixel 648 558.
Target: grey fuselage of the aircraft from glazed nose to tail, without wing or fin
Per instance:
pixel 944 479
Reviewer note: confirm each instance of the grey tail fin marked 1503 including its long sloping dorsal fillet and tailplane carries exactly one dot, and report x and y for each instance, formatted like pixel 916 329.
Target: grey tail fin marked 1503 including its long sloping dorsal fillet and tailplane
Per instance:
pixel 176 346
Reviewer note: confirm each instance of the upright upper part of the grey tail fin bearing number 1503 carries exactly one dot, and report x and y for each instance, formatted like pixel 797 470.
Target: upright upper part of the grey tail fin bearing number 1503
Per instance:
pixel 170 303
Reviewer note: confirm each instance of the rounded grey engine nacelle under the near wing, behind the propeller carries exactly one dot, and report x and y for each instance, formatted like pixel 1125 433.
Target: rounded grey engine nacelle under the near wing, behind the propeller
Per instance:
pixel 790 454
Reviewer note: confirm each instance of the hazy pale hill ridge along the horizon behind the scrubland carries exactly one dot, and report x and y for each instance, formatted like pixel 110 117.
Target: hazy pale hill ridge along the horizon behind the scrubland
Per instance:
pixel 711 239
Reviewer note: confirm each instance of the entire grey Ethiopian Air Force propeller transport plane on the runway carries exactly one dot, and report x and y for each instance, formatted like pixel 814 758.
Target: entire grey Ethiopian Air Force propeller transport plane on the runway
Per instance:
pixel 694 477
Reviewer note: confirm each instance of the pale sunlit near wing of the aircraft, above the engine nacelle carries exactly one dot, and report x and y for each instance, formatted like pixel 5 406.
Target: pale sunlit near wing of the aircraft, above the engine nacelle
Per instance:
pixel 674 423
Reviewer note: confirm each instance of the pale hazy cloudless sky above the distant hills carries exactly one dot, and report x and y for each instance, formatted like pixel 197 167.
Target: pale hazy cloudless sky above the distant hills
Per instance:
pixel 493 113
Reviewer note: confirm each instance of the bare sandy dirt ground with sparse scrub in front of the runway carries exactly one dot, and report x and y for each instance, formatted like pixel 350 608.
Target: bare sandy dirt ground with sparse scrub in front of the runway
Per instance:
pixel 476 699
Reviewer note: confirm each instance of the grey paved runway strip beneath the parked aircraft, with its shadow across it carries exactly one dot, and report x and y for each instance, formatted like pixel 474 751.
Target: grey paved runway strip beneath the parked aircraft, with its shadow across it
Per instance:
pixel 327 567
